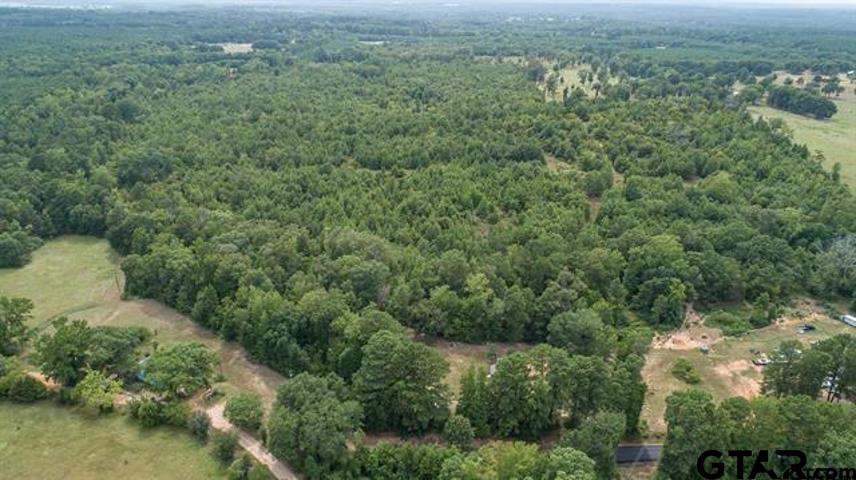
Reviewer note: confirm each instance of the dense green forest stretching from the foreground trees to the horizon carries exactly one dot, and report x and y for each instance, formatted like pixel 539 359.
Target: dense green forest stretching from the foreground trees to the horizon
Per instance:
pixel 353 179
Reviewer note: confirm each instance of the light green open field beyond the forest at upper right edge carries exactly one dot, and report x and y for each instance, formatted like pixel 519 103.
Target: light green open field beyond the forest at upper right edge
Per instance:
pixel 835 137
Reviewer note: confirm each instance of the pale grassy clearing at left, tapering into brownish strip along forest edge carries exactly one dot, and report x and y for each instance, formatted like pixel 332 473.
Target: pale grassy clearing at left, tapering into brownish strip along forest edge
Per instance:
pixel 80 277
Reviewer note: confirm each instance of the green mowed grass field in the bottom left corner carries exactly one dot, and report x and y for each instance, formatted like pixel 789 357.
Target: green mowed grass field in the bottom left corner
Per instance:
pixel 48 442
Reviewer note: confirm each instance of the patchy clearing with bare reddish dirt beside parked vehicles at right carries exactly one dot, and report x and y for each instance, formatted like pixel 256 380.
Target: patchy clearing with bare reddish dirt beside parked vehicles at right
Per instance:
pixel 727 369
